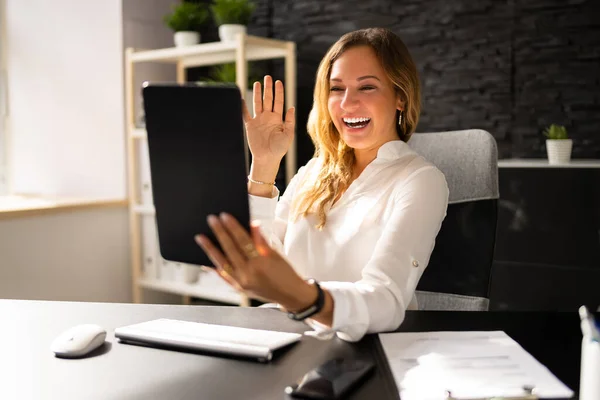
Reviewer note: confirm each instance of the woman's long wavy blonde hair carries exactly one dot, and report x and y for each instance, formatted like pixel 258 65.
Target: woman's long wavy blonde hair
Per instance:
pixel 337 159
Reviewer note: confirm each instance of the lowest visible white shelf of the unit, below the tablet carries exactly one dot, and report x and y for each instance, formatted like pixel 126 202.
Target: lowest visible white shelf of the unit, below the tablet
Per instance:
pixel 206 291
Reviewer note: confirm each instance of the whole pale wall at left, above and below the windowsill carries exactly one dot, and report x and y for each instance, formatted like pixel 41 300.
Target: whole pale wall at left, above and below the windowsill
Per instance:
pixel 67 108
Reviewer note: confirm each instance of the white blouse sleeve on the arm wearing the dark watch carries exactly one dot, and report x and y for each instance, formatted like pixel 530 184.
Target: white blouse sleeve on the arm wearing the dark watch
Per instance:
pixel 379 300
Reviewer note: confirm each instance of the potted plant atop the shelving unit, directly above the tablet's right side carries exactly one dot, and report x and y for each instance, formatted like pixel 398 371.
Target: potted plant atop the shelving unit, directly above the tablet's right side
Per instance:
pixel 232 16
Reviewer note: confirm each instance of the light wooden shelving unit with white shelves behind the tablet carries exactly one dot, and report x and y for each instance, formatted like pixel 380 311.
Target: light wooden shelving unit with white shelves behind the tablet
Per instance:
pixel 147 265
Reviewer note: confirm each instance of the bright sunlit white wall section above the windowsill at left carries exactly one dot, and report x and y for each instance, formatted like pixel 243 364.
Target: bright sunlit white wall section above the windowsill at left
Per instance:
pixel 65 75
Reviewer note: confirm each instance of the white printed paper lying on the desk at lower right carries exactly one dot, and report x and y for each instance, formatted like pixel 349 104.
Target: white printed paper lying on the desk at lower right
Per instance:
pixel 468 364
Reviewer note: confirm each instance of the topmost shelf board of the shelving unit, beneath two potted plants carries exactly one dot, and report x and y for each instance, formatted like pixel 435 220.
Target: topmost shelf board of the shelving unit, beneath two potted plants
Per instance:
pixel 214 52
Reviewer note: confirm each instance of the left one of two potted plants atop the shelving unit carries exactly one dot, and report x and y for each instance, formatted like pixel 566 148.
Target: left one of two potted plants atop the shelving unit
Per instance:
pixel 186 20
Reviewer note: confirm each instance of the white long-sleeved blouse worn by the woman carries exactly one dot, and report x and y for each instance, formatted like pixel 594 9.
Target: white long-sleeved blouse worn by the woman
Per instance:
pixel 375 244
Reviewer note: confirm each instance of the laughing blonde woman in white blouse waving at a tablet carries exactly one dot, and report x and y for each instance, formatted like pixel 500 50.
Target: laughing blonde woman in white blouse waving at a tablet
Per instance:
pixel 361 217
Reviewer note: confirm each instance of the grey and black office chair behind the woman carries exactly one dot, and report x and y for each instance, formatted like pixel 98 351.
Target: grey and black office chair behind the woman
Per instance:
pixel 458 274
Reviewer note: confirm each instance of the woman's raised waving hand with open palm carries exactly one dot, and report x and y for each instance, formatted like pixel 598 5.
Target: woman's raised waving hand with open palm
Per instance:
pixel 269 134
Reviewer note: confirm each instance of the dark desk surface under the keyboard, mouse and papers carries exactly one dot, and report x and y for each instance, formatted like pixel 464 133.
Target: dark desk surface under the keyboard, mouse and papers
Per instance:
pixel 118 371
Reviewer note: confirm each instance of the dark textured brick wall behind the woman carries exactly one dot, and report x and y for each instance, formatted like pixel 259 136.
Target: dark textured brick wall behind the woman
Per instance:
pixel 510 67
